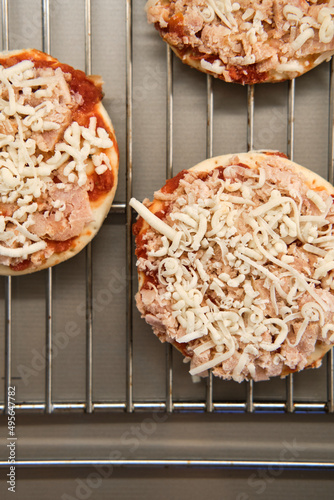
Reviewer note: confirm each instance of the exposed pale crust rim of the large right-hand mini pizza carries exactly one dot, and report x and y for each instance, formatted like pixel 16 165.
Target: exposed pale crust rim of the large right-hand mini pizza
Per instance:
pixel 252 160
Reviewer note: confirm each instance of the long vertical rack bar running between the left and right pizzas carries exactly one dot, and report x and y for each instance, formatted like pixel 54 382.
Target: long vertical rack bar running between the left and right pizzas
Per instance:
pixel 129 157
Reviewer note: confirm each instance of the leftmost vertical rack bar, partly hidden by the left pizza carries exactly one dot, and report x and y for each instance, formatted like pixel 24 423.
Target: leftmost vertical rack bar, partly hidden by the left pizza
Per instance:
pixel 8 280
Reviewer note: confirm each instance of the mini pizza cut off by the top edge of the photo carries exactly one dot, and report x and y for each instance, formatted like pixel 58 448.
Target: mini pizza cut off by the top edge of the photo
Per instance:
pixel 247 42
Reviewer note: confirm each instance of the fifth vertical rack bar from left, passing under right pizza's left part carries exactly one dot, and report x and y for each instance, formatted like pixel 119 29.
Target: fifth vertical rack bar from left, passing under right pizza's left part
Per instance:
pixel 169 174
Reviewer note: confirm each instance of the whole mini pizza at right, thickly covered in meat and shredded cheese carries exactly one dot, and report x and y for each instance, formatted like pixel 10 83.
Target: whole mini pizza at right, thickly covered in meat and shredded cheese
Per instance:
pixel 236 266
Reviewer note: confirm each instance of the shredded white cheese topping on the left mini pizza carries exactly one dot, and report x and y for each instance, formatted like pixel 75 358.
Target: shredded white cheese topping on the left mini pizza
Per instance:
pixel 34 104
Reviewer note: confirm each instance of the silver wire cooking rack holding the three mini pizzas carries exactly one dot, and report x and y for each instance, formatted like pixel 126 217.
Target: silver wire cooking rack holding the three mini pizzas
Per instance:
pixel 169 404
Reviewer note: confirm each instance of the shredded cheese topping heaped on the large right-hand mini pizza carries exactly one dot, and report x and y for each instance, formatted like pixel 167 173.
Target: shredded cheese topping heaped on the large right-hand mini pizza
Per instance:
pixel 239 271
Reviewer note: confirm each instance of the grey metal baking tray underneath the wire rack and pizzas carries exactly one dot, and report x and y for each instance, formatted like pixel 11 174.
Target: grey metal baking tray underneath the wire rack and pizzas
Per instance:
pixel 95 390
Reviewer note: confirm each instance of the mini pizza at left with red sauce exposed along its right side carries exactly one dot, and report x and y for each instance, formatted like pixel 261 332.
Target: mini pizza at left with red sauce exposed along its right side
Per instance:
pixel 58 161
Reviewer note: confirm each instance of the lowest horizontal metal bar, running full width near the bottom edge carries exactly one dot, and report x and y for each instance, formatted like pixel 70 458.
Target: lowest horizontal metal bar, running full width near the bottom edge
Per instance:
pixel 226 464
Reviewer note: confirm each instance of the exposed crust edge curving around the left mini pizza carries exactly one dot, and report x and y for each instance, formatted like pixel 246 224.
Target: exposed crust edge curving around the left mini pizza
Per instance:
pixel 100 206
